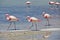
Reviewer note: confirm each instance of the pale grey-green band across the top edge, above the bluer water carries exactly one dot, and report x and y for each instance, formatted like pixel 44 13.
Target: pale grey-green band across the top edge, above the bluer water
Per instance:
pixel 22 2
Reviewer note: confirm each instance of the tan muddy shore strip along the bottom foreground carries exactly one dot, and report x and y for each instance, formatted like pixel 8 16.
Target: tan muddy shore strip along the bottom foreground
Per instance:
pixel 23 34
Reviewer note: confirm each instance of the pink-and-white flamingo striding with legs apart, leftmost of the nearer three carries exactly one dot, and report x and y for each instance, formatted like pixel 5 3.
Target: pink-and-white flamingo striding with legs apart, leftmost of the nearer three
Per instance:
pixel 11 19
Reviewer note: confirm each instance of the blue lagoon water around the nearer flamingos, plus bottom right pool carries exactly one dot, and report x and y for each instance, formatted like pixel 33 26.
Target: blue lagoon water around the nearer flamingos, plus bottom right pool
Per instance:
pixel 36 11
